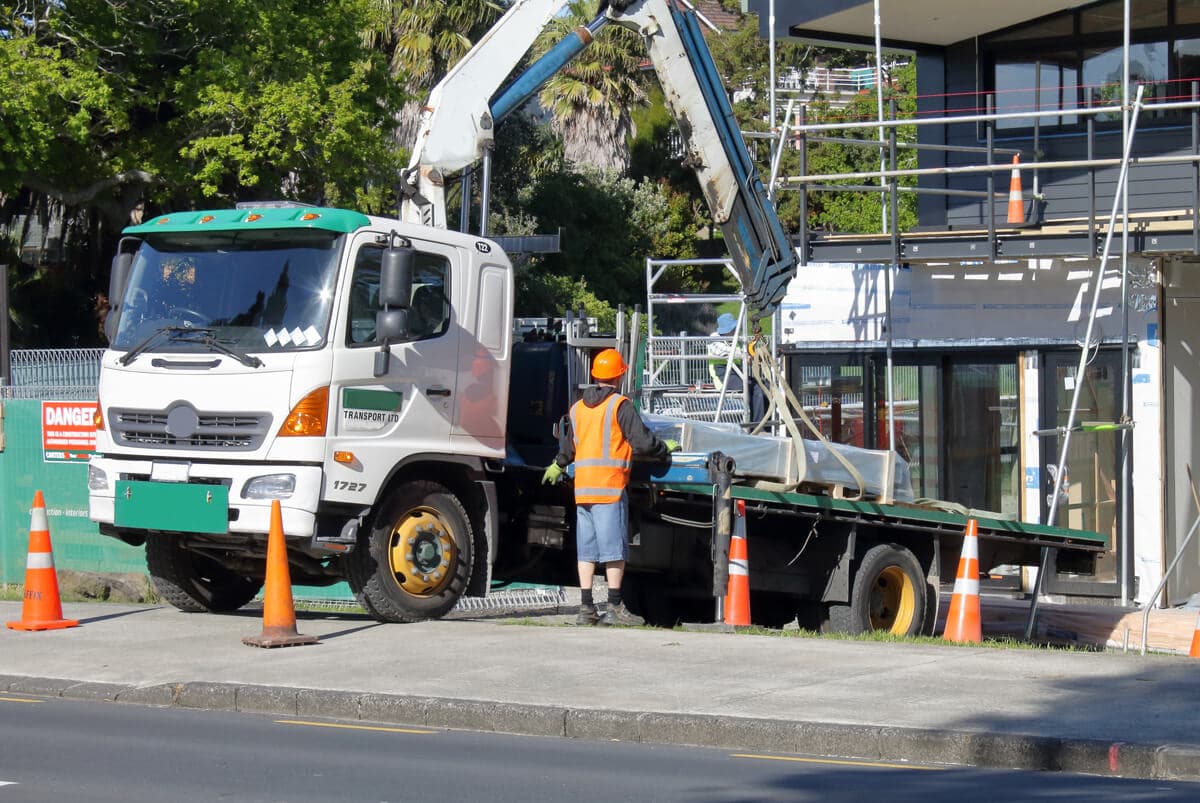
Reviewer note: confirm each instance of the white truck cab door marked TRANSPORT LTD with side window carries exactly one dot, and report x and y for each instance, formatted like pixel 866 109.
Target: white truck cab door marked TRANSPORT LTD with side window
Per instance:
pixel 411 409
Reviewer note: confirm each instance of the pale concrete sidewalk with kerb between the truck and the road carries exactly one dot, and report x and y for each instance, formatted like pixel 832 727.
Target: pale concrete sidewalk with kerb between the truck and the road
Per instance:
pixel 1037 710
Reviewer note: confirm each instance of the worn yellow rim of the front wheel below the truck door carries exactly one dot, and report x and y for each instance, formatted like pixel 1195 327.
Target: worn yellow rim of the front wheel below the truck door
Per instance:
pixel 422 553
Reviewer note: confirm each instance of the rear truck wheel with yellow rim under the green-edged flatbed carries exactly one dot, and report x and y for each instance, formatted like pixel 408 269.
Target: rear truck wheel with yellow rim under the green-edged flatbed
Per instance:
pixel 889 596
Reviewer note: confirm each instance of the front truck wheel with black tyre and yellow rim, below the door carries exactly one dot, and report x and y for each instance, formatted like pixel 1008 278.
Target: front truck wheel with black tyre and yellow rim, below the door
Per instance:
pixel 417 560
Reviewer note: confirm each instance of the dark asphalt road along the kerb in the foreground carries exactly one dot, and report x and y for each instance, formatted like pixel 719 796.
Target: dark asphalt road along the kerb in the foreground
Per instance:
pixel 56 751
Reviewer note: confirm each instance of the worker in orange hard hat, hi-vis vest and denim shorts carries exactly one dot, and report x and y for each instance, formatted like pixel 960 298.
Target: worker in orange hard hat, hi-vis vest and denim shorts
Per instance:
pixel 605 434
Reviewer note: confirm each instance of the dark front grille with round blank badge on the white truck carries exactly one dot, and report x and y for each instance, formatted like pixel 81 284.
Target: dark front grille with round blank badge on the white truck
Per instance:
pixel 143 428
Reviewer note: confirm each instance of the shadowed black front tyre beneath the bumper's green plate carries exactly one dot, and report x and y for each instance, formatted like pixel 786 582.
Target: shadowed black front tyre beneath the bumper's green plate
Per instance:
pixel 194 583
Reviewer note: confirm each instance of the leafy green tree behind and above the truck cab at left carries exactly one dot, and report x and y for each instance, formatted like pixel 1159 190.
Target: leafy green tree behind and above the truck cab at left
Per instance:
pixel 113 109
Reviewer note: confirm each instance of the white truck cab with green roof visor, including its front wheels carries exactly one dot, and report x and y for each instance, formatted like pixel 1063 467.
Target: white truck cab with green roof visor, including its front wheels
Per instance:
pixel 317 357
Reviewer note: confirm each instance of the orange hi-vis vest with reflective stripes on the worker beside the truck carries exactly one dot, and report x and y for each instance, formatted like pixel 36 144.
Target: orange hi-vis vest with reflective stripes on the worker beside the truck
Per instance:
pixel 603 456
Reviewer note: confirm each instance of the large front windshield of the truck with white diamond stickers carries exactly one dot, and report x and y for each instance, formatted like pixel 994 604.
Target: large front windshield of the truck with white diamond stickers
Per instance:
pixel 266 291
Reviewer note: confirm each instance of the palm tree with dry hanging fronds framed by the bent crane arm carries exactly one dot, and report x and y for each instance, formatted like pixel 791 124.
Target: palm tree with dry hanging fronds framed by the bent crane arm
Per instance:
pixel 591 100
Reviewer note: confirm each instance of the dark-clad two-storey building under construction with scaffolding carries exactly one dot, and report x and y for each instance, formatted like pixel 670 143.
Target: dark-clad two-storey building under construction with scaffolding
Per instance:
pixel 1029 346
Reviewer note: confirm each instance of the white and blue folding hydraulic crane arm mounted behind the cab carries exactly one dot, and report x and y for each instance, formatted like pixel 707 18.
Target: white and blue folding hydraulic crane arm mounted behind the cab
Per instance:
pixel 458 127
